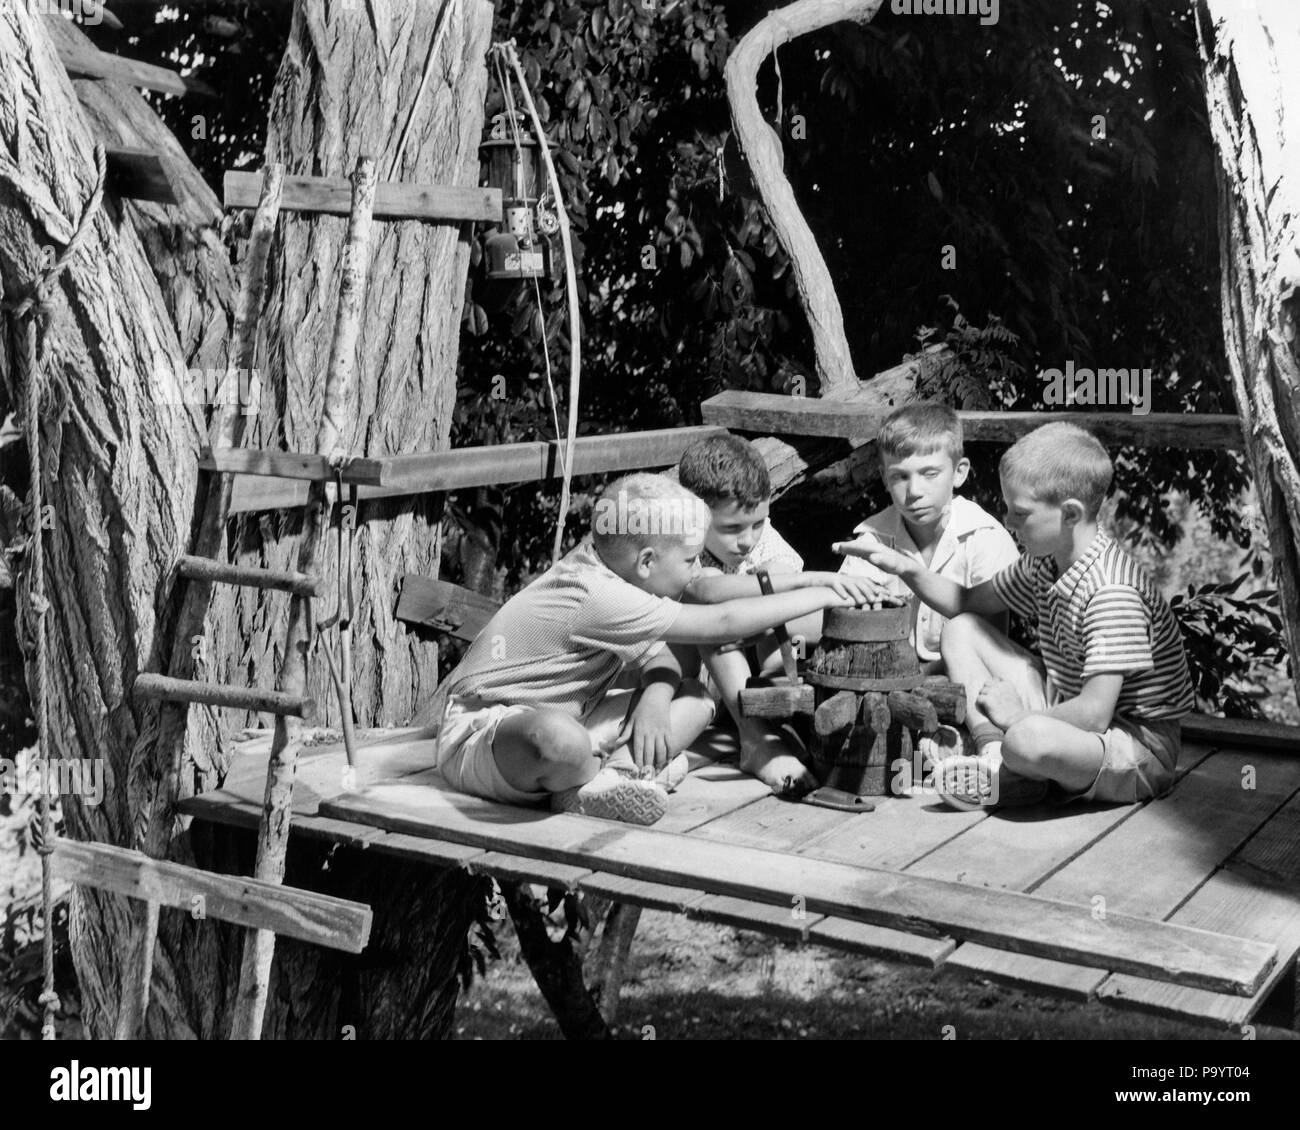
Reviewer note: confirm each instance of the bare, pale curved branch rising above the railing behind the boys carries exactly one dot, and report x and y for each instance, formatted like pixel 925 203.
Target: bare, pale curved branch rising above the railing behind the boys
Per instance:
pixel 762 146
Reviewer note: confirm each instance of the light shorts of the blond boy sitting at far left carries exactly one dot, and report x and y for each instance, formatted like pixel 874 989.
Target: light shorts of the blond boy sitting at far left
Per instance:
pixel 469 729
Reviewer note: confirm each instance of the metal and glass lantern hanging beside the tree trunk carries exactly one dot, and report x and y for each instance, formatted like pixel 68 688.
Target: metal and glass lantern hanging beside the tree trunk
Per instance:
pixel 512 161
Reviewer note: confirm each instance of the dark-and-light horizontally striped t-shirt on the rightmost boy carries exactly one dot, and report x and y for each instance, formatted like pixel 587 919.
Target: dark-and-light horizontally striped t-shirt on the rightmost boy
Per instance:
pixel 1103 616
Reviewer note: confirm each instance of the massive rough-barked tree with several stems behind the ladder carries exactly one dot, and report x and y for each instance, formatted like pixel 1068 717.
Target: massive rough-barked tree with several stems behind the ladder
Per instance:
pixel 149 297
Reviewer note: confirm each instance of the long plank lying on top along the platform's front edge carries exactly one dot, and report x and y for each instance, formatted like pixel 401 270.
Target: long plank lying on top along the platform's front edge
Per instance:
pixel 1026 924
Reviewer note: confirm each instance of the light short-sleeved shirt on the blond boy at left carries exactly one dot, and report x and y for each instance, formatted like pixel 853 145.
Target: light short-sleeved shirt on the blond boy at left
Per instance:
pixel 564 640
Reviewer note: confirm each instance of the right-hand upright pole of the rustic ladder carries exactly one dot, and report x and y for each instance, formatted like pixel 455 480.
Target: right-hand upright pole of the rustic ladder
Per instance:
pixel 331 436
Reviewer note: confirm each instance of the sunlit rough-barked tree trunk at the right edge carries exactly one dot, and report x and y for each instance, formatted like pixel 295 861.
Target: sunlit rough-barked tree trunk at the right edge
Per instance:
pixel 1254 93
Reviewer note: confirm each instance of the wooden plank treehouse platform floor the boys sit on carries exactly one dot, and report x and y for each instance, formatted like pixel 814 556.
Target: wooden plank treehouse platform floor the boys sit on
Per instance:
pixel 1188 907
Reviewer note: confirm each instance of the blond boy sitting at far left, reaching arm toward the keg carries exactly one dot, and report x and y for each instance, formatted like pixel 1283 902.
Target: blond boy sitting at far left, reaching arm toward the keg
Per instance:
pixel 531 709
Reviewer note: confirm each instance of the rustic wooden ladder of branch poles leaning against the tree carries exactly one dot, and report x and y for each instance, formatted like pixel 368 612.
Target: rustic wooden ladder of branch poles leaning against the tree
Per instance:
pixel 262 903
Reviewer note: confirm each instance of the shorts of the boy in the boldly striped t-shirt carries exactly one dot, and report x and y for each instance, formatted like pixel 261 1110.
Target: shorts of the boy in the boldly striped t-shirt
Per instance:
pixel 1138 757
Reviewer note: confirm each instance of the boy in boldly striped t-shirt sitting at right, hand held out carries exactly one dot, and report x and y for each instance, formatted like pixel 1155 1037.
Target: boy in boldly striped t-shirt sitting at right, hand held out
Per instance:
pixel 1099 716
